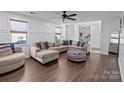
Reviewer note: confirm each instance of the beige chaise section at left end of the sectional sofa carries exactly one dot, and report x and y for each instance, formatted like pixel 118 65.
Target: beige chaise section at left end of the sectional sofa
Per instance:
pixel 44 56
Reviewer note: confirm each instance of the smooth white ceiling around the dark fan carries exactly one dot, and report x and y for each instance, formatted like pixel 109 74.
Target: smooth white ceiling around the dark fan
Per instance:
pixel 55 16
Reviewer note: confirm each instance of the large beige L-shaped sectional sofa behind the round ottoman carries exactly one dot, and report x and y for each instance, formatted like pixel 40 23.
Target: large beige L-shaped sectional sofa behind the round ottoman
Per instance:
pixel 52 53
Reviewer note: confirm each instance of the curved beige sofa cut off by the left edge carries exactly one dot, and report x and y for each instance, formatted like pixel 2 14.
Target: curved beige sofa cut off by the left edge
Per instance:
pixel 12 62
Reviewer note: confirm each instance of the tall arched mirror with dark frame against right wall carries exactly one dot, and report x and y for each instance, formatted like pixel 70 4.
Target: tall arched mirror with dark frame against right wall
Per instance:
pixel 114 42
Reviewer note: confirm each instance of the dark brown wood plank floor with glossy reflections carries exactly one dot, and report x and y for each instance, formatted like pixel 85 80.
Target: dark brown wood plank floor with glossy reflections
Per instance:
pixel 97 68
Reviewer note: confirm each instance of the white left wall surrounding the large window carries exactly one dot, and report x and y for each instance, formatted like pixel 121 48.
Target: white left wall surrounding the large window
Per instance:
pixel 38 30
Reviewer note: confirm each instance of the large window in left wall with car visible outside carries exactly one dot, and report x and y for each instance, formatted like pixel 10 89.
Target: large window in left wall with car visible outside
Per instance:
pixel 18 30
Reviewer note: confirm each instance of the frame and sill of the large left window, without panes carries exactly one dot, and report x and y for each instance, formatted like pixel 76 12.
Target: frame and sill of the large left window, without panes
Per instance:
pixel 20 32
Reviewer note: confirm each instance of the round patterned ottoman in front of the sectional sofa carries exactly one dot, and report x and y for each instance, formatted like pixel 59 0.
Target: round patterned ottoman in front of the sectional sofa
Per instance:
pixel 76 55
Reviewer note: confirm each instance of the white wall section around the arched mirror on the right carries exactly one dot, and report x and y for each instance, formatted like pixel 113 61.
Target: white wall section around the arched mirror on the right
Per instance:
pixel 108 25
